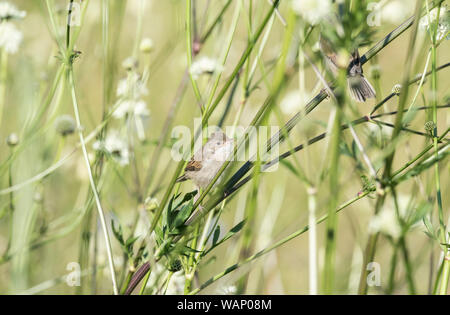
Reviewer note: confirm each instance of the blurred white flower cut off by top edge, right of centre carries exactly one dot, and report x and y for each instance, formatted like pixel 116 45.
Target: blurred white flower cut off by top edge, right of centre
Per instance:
pixel 312 11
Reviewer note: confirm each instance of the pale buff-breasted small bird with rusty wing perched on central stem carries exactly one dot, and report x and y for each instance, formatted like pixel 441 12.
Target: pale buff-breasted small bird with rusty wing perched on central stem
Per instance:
pixel 207 161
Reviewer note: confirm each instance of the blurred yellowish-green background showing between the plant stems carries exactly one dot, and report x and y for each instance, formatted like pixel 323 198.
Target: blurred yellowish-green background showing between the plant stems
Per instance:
pixel 57 200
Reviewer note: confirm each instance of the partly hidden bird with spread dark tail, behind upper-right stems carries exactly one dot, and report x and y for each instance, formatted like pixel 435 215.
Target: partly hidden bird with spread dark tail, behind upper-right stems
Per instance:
pixel 360 89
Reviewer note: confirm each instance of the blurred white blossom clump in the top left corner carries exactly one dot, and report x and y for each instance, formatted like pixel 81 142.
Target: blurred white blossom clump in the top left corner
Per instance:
pixel 10 36
